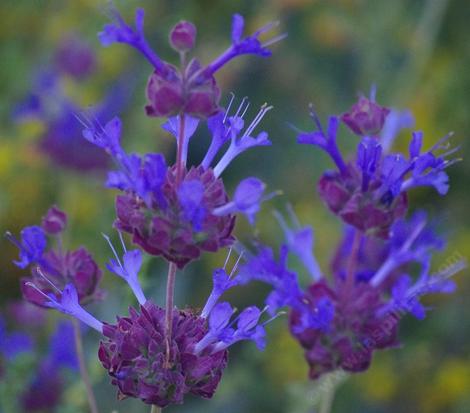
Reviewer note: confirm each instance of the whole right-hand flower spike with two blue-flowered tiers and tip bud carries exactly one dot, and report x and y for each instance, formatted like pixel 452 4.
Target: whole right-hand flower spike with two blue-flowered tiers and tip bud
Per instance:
pixel 341 319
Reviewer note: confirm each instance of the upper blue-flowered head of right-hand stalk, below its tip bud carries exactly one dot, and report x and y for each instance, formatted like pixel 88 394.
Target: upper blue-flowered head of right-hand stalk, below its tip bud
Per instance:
pixel 370 192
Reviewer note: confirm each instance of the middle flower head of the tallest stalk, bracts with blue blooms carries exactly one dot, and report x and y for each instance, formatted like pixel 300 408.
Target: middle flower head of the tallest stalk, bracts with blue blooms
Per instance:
pixel 179 211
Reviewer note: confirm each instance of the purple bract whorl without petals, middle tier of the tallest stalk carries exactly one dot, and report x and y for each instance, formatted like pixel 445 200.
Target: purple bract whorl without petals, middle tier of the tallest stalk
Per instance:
pixel 166 229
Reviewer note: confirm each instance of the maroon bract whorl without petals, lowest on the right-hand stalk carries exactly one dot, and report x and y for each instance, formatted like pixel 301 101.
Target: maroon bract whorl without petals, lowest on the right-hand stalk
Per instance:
pixel 352 335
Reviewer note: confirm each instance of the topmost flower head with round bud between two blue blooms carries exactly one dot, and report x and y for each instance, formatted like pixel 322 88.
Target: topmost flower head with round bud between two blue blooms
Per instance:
pixel 192 88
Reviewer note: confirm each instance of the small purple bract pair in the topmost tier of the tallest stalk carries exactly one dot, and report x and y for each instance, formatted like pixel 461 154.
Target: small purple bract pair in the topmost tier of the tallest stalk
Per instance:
pixel 170 93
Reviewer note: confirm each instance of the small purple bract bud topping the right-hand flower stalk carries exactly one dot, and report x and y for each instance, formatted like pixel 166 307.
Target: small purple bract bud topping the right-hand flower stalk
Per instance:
pixel 365 118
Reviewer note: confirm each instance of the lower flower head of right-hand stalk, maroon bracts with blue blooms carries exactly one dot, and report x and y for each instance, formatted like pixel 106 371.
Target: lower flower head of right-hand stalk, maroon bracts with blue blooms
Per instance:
pixel 340 322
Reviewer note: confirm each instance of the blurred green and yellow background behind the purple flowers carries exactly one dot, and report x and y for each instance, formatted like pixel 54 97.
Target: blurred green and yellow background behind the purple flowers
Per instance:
pixel 417 52
